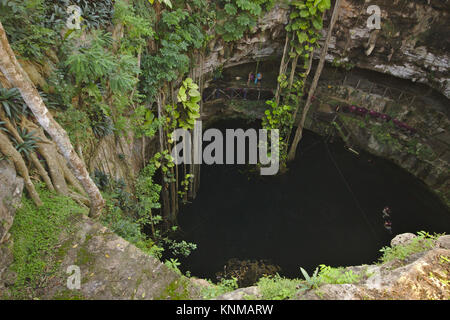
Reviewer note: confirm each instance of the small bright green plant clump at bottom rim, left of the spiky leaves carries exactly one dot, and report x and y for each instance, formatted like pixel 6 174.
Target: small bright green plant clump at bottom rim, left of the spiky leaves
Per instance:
pixel 277 287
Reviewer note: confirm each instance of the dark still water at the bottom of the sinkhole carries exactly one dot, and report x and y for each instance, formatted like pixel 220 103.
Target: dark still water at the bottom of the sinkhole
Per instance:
pixel 320 212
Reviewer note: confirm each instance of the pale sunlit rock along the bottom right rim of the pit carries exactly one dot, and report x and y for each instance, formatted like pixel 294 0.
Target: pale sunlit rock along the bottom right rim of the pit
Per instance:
pixel 421 276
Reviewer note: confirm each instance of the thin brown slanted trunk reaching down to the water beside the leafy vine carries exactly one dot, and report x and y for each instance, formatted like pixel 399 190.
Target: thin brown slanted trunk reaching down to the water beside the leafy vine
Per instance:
pixel 299 132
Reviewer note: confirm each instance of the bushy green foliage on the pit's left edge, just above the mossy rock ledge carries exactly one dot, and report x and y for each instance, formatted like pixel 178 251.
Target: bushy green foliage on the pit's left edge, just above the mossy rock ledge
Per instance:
pixel 128 216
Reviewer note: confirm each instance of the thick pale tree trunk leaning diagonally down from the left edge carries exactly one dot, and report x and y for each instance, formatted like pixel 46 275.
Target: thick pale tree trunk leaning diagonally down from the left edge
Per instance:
pixel 19 79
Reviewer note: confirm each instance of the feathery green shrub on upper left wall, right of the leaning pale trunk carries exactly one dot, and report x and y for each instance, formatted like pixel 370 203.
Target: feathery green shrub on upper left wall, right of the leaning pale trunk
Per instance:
pixel 102 82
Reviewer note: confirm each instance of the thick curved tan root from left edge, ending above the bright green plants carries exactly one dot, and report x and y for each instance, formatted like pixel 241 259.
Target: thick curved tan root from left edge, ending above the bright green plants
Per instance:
pixel 10 152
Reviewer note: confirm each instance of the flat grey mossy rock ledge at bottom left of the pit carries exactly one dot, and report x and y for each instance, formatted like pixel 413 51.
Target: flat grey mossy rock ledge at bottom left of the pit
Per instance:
pixel 111 268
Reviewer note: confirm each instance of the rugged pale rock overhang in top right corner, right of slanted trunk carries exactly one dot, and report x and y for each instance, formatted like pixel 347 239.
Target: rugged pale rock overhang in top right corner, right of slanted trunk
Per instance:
pixel 413 42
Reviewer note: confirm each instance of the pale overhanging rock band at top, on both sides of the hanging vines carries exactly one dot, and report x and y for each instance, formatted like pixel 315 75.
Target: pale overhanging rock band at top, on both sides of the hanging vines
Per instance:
pixel 413 42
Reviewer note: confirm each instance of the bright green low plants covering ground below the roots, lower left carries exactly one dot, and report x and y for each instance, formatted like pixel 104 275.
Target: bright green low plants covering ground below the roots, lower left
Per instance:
pixel 35 232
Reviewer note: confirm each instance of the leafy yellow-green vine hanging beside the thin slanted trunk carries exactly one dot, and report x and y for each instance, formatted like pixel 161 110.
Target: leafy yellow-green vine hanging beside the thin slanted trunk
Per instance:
pixel 303 33
